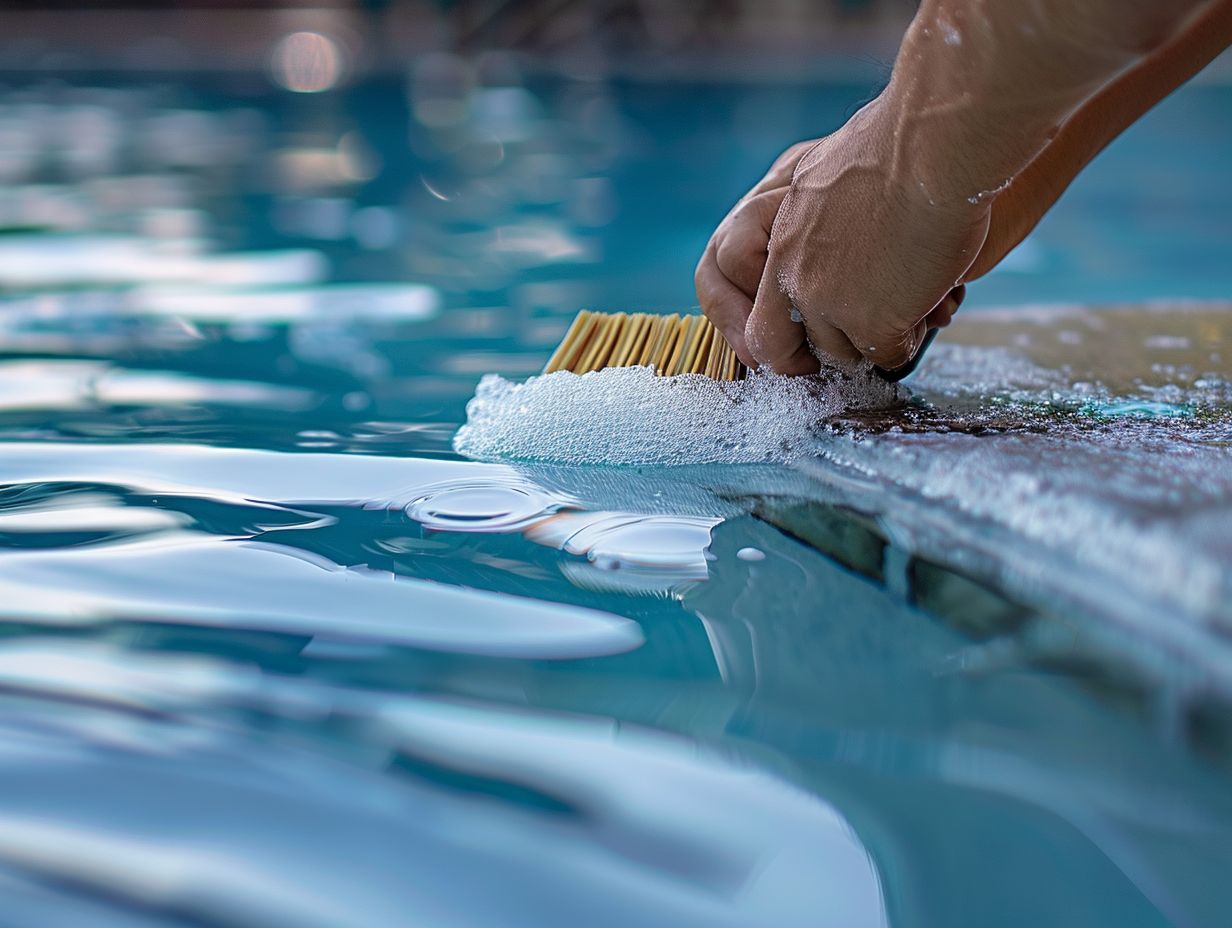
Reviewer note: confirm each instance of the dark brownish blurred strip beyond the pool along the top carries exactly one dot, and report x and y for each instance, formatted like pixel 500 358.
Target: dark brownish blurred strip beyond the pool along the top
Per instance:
pixel 735 39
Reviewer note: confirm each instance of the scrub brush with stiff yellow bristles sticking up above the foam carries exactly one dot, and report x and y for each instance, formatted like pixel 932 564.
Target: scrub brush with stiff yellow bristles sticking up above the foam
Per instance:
pixel 672 344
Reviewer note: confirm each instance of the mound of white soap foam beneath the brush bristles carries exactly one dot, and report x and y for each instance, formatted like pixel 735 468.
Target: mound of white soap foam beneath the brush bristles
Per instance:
pixel 628 416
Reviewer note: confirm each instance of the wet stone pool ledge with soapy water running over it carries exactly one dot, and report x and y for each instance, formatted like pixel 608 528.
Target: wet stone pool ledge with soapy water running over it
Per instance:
pixel 1103 473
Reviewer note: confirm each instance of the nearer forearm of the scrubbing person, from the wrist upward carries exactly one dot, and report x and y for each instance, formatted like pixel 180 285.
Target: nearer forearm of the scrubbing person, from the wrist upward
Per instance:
pixel 980 87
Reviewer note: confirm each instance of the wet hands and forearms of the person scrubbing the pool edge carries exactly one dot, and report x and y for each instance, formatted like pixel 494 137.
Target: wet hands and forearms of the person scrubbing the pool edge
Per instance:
pixel 991 110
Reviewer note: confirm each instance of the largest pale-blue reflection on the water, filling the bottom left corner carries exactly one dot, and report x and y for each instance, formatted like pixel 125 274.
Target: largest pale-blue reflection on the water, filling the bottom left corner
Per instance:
pixel 739 847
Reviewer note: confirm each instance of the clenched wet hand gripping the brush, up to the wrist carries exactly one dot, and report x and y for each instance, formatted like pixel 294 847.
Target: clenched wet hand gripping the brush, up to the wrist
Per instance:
pixel 869 253
